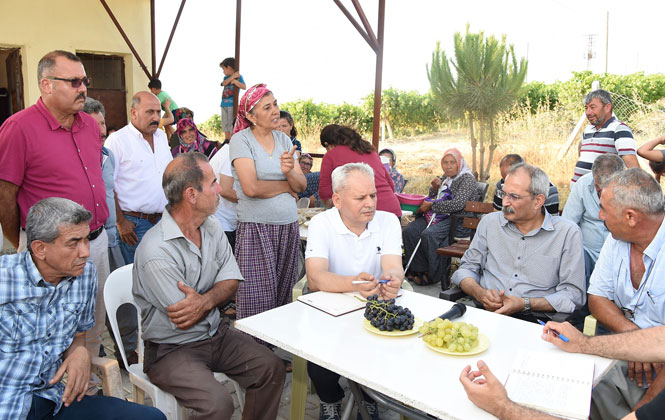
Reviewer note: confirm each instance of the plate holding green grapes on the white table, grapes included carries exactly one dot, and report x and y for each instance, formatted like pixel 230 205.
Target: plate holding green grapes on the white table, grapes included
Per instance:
pixel 453 338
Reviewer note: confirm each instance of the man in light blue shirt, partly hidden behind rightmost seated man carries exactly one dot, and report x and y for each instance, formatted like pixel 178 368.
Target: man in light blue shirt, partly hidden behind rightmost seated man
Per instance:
pixel 583 206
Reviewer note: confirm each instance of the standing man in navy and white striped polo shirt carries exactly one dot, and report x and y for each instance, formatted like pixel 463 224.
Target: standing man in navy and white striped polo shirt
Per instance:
pixel 604 134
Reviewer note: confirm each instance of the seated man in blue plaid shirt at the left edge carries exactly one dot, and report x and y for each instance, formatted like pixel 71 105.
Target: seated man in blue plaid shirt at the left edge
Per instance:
pixel 47 296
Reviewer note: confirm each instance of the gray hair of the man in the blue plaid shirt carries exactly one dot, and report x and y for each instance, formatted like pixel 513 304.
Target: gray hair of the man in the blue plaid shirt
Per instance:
pixel 47 216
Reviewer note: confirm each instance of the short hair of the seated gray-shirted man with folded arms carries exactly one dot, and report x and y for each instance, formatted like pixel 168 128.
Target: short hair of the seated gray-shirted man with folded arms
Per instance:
pixel 182 175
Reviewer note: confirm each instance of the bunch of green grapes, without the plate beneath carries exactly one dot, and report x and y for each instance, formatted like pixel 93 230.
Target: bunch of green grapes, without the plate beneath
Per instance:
pixel 455 336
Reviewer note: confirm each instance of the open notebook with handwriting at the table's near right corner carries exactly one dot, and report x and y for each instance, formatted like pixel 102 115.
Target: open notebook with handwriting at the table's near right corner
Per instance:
pixel 558 383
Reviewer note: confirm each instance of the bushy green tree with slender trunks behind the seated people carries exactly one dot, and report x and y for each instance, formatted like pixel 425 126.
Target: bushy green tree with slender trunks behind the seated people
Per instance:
pixel 486 81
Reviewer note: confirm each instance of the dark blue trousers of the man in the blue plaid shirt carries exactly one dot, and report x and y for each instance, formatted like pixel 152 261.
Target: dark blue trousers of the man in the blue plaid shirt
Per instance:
pixel 93 407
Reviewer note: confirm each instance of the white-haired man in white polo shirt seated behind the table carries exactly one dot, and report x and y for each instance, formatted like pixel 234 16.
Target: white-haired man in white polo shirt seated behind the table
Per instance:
pixel 352 242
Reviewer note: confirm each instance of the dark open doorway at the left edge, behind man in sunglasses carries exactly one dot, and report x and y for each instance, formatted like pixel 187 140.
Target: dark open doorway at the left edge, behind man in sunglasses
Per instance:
pixel 11 83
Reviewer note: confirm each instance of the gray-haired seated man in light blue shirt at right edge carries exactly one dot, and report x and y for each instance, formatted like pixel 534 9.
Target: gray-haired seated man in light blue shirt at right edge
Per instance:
pixel 626 289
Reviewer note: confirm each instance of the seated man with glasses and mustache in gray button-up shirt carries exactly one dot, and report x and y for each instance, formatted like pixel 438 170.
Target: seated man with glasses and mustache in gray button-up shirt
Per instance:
pixel 523 259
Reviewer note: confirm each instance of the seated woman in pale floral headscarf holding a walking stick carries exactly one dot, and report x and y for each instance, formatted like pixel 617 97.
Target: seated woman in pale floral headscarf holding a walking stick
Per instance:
pixel 448 195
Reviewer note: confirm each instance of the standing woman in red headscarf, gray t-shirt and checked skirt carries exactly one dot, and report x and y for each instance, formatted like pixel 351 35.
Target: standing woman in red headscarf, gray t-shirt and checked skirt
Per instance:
pixel 267 179
